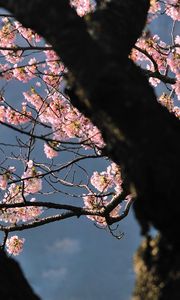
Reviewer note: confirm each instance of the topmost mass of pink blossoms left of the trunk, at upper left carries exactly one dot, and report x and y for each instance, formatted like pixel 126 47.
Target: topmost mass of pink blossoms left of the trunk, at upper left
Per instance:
pixel 9 34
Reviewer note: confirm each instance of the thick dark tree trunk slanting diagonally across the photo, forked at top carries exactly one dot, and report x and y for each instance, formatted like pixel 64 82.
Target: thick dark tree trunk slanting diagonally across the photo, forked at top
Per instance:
pixel 129 122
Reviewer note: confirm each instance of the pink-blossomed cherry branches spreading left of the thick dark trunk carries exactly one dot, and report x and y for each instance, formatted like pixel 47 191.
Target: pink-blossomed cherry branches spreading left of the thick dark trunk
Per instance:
pixel 48 116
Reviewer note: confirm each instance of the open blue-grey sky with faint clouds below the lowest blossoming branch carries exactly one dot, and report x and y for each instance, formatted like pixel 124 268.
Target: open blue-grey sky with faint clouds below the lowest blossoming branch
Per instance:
pixel 74 260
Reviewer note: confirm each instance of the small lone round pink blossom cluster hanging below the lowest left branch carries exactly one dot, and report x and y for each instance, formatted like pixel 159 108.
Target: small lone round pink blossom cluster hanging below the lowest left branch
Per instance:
pixel 14 245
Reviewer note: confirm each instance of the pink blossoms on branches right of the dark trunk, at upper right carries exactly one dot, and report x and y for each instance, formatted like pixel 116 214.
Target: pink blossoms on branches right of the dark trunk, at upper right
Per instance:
pixel 158 57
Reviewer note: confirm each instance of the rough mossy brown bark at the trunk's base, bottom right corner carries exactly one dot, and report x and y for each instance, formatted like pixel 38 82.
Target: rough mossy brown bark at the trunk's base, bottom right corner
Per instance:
pixel 157 266
